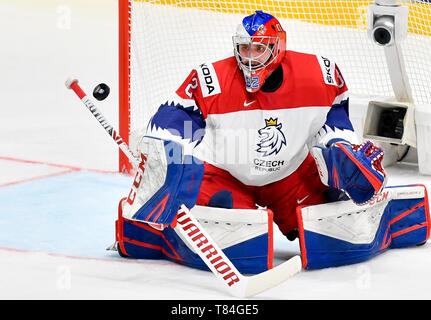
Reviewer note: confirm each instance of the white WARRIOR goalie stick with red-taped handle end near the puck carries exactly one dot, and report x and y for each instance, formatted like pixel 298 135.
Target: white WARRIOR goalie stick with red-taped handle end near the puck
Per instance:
pixel 237 284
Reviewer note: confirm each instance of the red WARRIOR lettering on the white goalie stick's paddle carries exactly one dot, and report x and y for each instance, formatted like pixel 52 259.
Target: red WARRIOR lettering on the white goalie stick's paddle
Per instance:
pixel 211 254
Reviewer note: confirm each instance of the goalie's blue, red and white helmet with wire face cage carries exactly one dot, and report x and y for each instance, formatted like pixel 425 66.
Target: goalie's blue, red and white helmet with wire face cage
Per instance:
pixel 259 46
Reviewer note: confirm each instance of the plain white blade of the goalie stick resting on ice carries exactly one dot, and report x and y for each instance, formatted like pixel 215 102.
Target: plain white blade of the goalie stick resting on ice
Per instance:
pixel 273 277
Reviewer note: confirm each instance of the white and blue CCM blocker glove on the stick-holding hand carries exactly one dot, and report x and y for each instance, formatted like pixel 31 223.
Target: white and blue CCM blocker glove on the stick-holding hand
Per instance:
pixel 165 179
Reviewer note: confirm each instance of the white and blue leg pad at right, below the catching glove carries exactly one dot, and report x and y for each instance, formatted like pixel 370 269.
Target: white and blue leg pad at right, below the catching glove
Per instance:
pixel 342 233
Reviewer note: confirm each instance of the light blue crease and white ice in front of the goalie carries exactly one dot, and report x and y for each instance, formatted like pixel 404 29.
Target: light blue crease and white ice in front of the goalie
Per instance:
pixel 54 232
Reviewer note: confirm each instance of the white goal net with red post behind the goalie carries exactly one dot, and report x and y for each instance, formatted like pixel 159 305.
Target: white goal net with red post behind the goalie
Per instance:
pixel 160 42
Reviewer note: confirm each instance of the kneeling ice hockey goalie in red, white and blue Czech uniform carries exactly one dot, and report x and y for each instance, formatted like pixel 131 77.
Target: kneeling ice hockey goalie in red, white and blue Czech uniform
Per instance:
pixel 265 128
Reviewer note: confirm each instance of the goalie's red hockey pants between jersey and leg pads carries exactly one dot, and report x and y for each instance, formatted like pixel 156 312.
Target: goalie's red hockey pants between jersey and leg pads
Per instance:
pixel 303 187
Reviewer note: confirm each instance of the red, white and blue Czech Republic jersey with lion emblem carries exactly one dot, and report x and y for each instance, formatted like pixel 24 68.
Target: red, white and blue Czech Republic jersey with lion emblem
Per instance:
pixel 262 137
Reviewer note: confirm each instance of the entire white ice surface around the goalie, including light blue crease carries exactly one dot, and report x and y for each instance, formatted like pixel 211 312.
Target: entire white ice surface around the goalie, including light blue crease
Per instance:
pixel 57 218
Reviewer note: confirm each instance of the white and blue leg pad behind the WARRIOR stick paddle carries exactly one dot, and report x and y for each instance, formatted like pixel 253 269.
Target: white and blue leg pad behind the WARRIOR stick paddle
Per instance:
pixel 245 236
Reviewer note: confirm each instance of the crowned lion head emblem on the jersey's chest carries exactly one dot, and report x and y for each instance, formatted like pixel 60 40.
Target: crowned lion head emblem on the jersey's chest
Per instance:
pixel 271 138
